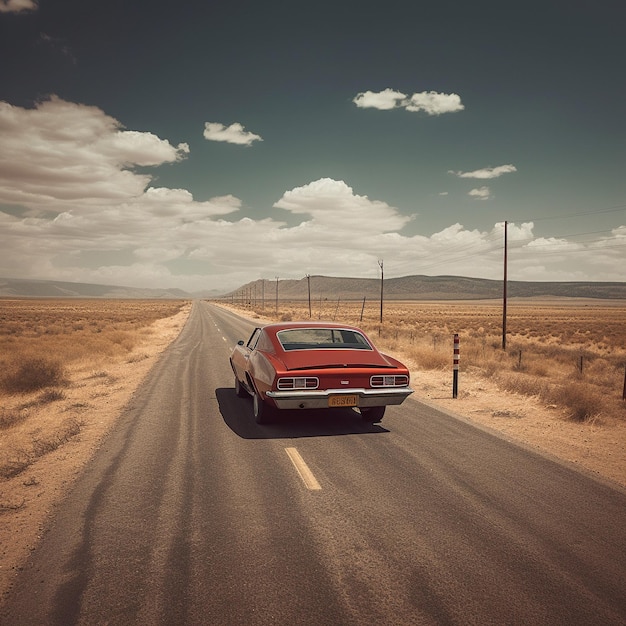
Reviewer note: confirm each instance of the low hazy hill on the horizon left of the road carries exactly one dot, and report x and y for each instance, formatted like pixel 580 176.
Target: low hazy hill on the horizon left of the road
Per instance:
pixel 24 288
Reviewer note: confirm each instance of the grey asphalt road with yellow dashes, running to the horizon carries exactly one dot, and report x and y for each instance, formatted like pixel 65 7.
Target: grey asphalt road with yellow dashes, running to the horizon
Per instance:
pixel 193 514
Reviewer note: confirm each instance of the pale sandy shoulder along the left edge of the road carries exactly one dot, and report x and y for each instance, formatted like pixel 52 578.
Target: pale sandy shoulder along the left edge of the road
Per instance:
pixel 95 398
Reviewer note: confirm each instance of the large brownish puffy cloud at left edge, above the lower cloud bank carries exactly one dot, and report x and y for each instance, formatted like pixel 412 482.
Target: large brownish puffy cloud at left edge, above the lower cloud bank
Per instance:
pixel 60 154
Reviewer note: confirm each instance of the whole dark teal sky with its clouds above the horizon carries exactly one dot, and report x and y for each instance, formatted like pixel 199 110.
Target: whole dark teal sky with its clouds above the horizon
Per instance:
pixel 204 145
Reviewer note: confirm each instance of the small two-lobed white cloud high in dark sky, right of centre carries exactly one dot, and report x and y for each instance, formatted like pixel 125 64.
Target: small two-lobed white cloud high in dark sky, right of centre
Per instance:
pixel 430 102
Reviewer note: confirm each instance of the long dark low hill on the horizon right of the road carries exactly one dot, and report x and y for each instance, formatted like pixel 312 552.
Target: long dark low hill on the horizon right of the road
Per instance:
pixel 424 288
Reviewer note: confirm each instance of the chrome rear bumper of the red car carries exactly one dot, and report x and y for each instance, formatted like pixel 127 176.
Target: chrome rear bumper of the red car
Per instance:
pixel 321 398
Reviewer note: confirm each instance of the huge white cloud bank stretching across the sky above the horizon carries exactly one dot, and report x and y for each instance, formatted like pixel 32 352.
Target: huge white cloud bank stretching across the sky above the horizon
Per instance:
pixel 73 208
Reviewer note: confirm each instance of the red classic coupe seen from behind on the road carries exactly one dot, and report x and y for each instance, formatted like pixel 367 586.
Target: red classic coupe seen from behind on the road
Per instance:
pixel 308 365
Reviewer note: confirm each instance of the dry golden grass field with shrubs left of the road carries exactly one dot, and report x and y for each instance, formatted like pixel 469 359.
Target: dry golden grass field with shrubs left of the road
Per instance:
pixel 44 344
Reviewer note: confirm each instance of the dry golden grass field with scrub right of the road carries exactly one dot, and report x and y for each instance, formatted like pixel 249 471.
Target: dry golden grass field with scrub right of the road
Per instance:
pixel 569 353
